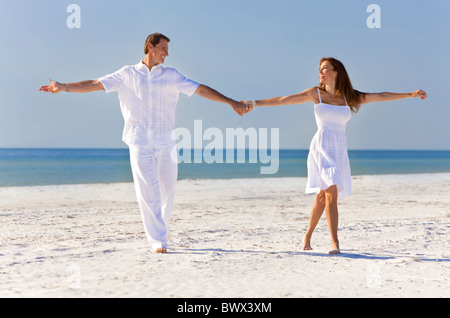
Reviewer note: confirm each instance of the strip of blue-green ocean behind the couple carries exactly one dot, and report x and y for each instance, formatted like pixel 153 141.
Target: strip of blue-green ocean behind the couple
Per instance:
pixel 30 167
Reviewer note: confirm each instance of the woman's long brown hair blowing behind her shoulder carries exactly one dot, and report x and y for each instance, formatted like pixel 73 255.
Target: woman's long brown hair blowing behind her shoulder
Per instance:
pixel 344 85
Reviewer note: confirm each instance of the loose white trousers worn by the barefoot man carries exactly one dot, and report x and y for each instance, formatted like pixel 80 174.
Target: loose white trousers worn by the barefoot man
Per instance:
pixel 155 176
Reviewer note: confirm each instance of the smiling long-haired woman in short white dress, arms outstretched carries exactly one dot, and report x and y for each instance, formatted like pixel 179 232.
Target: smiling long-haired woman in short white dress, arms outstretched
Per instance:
pixel 328 164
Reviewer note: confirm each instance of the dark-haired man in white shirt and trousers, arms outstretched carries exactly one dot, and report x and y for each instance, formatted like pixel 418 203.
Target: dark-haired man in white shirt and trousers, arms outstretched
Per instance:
pixel 148 94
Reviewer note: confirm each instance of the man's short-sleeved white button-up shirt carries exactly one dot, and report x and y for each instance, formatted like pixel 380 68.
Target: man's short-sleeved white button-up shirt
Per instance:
pixel 148 101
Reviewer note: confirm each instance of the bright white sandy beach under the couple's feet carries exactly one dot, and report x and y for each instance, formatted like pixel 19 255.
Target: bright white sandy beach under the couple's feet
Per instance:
pixel 228 238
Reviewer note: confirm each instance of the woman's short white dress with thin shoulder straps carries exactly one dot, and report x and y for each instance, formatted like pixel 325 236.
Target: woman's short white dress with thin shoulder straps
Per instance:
pixel 328 162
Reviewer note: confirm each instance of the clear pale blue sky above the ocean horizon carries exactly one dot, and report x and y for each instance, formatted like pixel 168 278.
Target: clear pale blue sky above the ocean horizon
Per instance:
pixel 244 49
